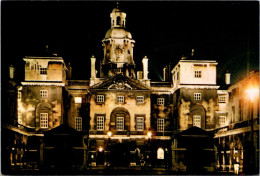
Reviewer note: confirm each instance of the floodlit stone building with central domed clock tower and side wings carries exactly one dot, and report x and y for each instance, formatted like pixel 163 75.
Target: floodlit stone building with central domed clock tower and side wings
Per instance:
pixel 186 123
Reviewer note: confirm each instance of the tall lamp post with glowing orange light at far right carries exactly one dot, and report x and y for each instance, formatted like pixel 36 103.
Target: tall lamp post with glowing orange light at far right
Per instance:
pixel 252 93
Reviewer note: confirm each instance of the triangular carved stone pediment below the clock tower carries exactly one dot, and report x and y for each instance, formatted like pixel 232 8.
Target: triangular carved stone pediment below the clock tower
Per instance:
pixel 120 82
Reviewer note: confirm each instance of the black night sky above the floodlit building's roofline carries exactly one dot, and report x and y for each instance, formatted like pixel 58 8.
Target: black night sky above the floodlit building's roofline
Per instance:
pixel 164 31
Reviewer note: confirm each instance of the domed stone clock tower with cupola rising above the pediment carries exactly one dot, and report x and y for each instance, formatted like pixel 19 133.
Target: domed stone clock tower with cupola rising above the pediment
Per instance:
pixel 118 47
